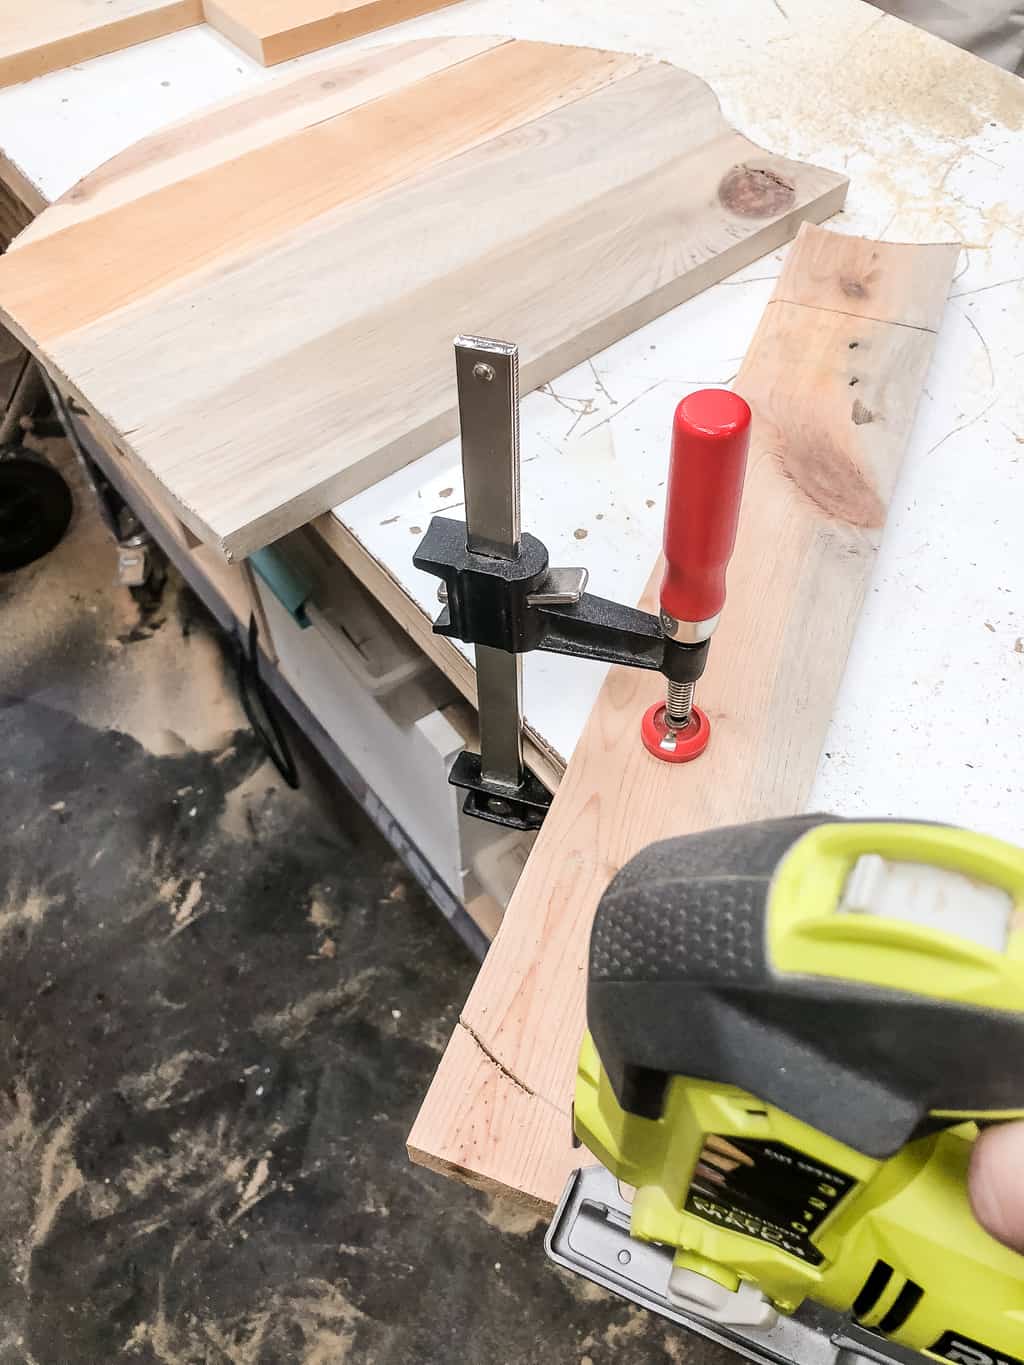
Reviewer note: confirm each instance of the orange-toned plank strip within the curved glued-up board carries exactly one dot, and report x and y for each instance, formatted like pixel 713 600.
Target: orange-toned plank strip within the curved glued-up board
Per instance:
pixel 240 208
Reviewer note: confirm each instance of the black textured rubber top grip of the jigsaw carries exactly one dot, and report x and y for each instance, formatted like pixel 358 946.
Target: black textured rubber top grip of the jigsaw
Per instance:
pixel 682 983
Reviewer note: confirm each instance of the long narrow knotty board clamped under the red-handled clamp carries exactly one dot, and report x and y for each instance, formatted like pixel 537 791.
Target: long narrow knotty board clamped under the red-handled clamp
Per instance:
pixel 834 399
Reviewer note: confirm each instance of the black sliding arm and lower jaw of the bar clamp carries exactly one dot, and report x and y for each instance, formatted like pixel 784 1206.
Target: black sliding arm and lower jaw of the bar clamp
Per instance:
pixel 518 605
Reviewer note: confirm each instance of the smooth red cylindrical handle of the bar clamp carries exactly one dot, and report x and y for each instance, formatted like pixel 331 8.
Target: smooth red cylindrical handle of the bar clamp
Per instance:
pixel 711 436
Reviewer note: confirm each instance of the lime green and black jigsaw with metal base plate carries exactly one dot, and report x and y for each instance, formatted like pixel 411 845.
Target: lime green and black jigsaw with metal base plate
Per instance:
pixel 797 1031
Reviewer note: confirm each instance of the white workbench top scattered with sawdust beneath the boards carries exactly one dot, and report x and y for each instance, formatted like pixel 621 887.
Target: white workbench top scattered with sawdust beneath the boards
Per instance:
pixel 930 719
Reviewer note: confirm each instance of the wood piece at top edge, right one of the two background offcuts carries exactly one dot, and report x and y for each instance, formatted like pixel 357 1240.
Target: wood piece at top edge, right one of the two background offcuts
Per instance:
pixel 276 31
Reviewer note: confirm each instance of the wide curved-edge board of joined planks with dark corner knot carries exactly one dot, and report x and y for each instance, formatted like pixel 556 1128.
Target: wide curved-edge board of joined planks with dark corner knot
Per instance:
pixel 259 305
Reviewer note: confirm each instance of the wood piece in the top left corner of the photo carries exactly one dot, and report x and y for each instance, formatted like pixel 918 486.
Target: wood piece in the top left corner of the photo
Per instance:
pixel 36 39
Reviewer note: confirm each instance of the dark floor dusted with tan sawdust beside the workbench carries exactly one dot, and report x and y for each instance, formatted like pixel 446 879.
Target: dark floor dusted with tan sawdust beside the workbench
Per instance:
pixel 222 1003
